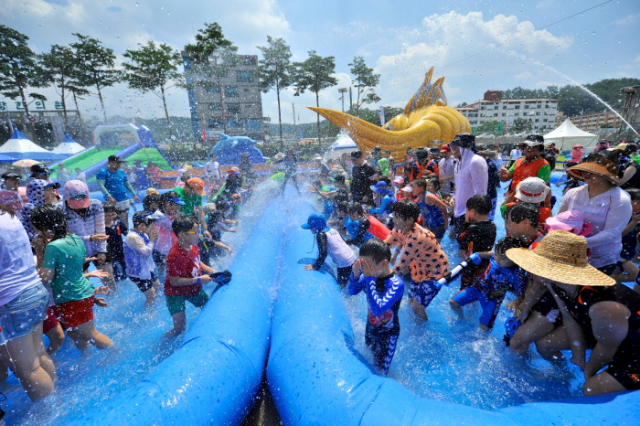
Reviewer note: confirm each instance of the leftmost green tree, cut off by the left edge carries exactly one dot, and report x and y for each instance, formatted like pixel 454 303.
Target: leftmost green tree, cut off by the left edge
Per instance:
pixel 19 70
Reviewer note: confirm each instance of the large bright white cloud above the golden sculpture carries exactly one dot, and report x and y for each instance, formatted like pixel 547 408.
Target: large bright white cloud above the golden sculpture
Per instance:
pixel 467 47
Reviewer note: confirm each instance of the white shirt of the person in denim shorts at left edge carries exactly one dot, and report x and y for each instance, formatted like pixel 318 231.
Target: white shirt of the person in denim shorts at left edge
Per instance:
pixel 17 265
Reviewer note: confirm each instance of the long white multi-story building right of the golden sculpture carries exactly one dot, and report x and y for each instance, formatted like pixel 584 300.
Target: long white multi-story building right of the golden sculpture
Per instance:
pixel 541 112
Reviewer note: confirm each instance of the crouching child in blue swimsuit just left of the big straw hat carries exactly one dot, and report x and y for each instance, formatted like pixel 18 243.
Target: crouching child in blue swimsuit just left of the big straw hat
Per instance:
pixel 501 275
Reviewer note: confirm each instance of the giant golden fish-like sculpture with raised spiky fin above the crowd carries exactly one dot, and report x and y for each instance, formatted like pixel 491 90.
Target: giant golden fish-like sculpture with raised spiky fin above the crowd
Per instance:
pixel 426 118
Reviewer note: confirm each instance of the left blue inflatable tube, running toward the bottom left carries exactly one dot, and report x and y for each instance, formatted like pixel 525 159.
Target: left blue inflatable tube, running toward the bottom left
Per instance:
pixel 215 375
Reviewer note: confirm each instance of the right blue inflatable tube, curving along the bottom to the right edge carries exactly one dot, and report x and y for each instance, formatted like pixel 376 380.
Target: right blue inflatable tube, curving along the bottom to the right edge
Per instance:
pixel 317 377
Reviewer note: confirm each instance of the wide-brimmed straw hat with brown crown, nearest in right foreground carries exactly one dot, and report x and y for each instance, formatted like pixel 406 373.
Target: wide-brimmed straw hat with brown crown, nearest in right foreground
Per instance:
pixel 561 256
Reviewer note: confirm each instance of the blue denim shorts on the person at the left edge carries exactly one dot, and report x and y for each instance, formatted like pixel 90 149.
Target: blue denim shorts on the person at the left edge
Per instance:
pixel 18 317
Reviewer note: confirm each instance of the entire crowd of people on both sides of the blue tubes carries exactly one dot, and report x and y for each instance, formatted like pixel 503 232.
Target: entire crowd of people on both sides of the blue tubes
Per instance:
pixel 381 224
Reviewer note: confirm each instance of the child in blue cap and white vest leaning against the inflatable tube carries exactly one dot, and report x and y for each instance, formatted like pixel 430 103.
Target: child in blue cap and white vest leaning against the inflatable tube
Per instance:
pixel 330 243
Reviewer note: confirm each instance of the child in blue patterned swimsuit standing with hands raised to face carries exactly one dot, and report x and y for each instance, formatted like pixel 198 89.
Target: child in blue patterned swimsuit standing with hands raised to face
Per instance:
pixel 384 290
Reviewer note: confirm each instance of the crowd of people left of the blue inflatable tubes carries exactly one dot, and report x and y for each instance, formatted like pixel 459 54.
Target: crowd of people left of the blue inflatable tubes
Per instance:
pixel 51 245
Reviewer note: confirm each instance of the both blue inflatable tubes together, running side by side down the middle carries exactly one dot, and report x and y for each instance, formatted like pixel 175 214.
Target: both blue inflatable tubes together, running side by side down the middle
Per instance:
pixel 316 371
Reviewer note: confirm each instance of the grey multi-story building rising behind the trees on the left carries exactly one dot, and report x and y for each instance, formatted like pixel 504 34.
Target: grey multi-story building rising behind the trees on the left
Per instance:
pixel 230 104
